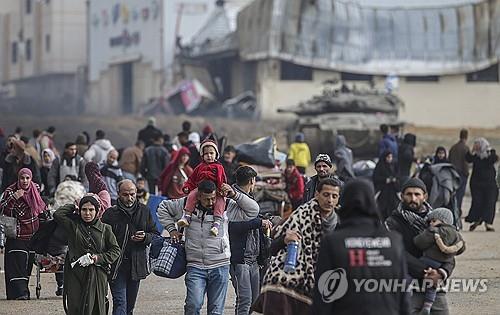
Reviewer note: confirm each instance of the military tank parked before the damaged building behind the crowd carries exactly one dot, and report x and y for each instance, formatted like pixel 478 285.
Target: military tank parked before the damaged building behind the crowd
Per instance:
pixel 356 114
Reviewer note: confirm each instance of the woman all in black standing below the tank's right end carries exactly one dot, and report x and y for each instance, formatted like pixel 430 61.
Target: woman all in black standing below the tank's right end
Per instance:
pixel 386 184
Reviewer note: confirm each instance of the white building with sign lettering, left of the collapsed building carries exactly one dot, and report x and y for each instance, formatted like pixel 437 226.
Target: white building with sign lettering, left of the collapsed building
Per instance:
pixel 133 45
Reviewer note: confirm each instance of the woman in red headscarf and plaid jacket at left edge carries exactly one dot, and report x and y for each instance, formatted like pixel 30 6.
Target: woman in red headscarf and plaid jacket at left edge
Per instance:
pixel 22 201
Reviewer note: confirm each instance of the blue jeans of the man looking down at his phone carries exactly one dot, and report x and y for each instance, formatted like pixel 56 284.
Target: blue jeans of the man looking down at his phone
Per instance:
pixel 124 291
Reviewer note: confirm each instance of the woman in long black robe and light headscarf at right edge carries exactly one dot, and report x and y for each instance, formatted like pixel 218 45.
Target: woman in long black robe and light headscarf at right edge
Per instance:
pixel 483 185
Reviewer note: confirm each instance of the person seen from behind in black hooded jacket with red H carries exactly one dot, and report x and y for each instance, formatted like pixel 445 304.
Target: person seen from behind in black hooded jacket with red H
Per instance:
pixel 360 248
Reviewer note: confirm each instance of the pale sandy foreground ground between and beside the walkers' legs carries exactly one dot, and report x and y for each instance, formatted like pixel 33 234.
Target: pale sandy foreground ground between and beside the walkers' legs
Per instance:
pixel 163 296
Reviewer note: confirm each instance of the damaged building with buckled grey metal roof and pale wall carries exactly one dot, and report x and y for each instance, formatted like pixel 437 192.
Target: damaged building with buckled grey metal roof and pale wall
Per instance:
pixel 445 55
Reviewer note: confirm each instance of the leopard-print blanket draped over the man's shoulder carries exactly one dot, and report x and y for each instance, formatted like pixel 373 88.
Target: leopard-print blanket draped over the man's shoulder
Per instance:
pixel 299 285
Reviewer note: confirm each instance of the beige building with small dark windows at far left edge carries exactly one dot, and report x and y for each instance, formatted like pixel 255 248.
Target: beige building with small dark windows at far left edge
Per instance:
pixel 43 55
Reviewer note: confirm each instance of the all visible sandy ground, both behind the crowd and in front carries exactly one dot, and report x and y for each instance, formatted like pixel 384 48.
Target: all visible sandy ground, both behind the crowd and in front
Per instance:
pixel 162 296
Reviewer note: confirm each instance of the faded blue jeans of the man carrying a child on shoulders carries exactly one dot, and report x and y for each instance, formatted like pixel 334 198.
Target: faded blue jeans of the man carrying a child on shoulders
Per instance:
pixel 212 282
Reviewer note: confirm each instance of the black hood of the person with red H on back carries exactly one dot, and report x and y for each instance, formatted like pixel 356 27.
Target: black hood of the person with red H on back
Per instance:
pixel 358 200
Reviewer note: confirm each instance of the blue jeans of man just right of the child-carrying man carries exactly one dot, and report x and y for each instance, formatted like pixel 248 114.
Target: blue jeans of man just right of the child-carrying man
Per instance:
pixel 246 283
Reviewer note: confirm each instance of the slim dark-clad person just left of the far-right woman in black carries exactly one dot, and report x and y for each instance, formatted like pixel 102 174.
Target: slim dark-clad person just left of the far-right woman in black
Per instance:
pixel 457 158
